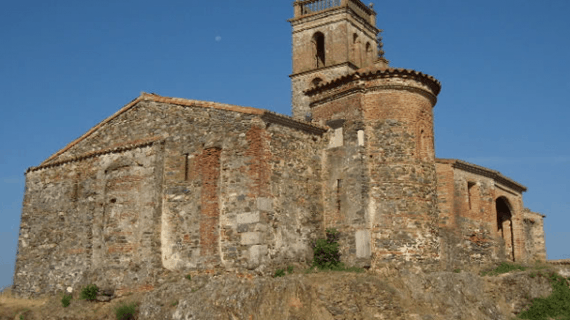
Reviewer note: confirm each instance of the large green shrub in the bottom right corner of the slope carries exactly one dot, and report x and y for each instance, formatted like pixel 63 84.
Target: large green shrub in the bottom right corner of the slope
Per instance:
pixel 555 306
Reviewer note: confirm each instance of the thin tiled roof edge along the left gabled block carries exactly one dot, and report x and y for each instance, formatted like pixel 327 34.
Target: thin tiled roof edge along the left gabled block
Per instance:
pixel 265 114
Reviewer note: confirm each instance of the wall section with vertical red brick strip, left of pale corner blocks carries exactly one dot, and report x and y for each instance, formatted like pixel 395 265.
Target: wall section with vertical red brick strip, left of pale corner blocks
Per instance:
pixel 210 178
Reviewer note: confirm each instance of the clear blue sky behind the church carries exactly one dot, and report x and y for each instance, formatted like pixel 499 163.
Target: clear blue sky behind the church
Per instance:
pixel 66 65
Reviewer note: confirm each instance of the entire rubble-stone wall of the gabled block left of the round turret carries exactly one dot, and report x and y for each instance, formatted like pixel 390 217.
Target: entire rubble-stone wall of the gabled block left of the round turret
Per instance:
pixel 166 186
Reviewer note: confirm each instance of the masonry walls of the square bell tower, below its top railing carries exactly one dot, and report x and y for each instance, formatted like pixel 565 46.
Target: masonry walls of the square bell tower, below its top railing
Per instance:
pixel 346 37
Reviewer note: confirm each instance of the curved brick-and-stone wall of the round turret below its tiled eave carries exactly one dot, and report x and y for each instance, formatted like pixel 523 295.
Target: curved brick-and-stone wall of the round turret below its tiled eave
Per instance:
pixel 399 133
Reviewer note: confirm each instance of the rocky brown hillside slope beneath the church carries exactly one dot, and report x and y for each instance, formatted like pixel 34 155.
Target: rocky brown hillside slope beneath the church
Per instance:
pixel 322 295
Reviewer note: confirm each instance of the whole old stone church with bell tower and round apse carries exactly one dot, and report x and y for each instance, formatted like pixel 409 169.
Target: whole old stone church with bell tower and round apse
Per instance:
pixel 178 184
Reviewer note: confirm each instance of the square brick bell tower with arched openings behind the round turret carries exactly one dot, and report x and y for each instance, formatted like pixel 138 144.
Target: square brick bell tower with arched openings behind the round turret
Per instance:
pixel 331 38
